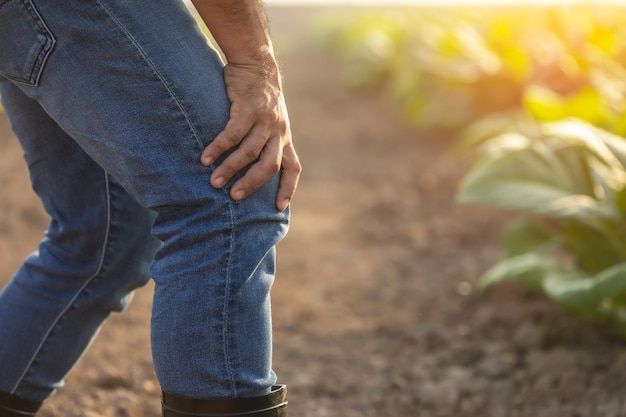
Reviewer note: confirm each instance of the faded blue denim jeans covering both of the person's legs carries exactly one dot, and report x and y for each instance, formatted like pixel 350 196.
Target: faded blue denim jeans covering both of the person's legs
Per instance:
pixel 113 102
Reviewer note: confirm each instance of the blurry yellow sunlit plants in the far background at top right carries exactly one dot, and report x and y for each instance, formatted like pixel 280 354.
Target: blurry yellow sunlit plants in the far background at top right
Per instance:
pixel 447 68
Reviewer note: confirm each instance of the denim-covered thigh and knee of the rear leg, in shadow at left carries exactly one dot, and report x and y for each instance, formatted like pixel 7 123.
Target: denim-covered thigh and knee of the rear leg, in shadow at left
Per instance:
pixel 86 206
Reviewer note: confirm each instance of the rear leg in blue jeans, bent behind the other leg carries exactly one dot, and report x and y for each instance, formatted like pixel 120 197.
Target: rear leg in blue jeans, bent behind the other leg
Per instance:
pixel 96 251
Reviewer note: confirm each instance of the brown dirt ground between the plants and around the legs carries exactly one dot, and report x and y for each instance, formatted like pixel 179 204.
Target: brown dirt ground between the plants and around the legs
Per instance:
pixel 375 306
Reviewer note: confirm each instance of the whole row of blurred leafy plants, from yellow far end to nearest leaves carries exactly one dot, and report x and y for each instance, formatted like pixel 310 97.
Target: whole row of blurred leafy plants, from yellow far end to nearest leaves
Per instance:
pixel 543 91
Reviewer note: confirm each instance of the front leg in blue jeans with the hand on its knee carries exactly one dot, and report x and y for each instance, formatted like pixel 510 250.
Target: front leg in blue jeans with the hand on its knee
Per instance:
pixel 135 84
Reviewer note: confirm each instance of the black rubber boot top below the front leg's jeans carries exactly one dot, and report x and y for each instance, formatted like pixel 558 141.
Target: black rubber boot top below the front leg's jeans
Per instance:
pixel 273 404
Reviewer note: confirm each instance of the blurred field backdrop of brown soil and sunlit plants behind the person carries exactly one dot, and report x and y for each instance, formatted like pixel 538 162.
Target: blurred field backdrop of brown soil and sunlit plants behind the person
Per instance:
pixel 457 244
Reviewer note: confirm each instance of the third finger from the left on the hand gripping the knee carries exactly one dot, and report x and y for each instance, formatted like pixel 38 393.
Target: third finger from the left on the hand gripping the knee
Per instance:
pixel 260 172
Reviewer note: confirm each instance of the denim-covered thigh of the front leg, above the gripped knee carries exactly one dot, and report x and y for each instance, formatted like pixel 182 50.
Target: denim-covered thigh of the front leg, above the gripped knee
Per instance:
pixel 135 84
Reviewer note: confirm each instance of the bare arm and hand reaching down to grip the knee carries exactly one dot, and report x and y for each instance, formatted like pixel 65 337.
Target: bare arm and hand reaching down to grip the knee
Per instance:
pixel 259 123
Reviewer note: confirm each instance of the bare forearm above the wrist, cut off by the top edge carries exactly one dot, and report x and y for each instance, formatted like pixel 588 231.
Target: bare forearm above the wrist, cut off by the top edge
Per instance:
pixel 240 29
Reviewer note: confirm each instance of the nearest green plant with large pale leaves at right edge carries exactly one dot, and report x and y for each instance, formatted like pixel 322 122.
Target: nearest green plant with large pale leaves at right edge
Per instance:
pixel 569 178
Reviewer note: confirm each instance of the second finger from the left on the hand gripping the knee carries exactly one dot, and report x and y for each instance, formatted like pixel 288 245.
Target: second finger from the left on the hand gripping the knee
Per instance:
pixel 249 151
